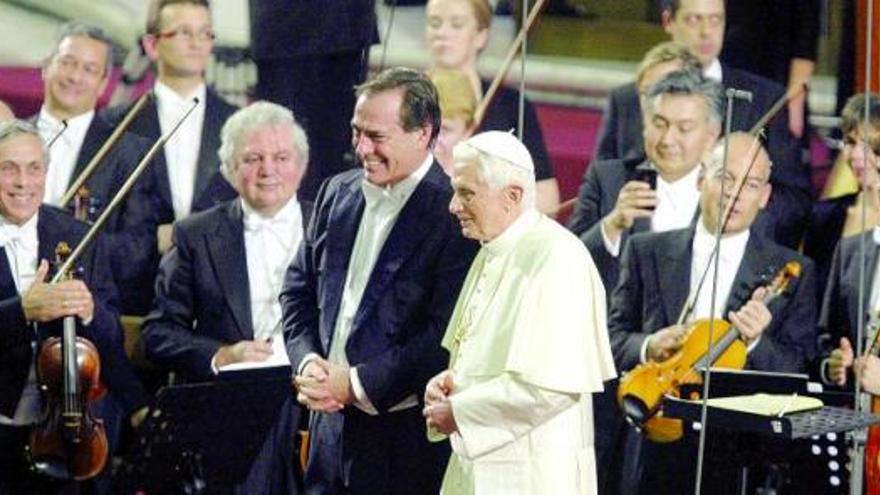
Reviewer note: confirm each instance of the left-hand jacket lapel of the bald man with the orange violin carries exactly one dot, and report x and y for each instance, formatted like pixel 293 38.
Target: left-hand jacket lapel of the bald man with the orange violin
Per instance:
pixel 673 262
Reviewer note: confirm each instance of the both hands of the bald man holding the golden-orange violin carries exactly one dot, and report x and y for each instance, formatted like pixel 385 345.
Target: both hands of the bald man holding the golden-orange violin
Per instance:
pixel 750 321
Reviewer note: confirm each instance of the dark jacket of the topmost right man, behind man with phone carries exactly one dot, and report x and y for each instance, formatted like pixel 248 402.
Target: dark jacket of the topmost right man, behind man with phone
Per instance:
pixel 621 137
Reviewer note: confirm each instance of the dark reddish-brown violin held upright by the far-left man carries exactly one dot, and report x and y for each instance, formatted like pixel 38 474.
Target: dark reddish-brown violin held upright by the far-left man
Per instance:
pixel 69 442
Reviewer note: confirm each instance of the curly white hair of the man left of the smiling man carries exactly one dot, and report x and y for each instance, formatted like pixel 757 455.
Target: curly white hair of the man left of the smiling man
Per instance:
pixel 258 115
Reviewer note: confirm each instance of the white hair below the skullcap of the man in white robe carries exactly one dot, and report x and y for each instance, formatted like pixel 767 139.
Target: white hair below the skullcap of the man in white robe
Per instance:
pixel 495 171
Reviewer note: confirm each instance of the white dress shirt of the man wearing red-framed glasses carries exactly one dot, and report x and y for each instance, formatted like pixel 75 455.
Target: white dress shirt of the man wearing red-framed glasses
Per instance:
pixel 182 150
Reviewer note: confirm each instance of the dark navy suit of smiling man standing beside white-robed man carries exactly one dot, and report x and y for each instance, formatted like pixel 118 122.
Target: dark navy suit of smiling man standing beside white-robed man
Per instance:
pixel 395 336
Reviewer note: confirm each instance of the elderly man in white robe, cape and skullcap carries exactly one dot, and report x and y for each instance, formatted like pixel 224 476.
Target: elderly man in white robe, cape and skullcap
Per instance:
pixel 528 341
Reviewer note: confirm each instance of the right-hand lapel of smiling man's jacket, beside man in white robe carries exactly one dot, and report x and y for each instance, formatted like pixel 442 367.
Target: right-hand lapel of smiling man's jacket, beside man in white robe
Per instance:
pixel 411 226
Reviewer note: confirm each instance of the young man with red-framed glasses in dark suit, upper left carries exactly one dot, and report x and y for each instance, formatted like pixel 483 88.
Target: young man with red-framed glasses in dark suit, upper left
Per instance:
pixel 179 40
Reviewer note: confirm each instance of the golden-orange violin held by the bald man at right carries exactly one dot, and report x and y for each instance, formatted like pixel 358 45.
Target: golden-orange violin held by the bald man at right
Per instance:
pixel 641 391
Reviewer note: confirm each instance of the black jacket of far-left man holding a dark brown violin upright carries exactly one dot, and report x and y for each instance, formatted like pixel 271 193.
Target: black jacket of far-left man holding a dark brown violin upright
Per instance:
pixel 104 331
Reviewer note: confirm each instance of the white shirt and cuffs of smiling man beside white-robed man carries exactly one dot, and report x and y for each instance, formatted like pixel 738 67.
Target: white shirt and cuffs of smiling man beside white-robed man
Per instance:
pixel 383 206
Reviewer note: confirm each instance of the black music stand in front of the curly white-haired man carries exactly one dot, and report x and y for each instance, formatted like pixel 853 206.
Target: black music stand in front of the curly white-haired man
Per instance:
pixel 203 437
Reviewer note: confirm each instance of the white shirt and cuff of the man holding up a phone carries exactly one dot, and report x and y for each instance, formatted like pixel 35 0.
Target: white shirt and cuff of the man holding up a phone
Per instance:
pixel 677 203
